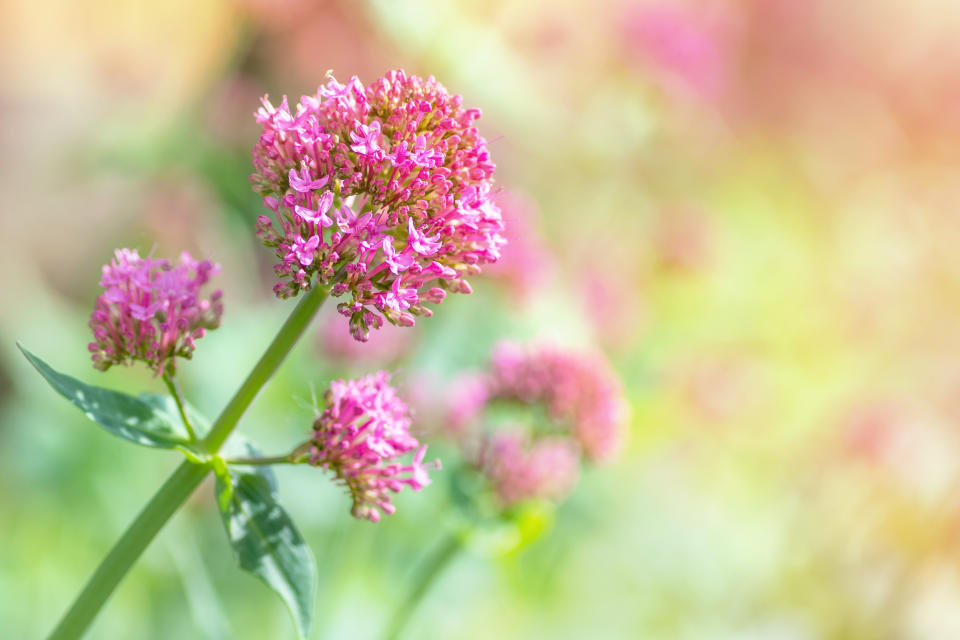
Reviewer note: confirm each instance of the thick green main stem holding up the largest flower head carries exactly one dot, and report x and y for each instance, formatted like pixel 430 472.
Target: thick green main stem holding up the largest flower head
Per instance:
pixel 184 480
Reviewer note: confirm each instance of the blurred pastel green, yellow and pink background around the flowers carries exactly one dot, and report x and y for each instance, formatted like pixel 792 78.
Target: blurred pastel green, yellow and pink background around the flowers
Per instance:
pixel 752 207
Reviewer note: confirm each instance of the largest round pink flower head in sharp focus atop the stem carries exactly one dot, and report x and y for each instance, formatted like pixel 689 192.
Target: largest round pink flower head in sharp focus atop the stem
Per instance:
pixel 383 192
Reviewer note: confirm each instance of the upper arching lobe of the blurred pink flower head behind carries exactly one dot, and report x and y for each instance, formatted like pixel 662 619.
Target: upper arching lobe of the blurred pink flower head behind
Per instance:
pixel 581 393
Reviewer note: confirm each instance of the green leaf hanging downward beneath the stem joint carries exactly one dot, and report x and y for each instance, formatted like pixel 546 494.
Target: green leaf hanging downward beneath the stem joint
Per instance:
pixel 265 541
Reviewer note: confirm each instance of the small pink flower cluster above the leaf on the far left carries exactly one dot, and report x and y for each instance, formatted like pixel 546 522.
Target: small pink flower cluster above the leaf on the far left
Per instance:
pixel 151 310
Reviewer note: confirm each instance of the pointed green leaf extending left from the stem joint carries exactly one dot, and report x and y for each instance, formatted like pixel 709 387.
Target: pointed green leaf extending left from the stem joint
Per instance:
pixel 122 415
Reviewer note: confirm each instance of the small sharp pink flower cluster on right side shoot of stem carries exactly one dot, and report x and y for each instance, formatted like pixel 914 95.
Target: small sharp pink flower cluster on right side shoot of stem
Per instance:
pixel 363 430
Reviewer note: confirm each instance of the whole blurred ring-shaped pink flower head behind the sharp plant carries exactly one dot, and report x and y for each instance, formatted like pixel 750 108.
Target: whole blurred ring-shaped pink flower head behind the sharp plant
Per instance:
pixel 584 407
